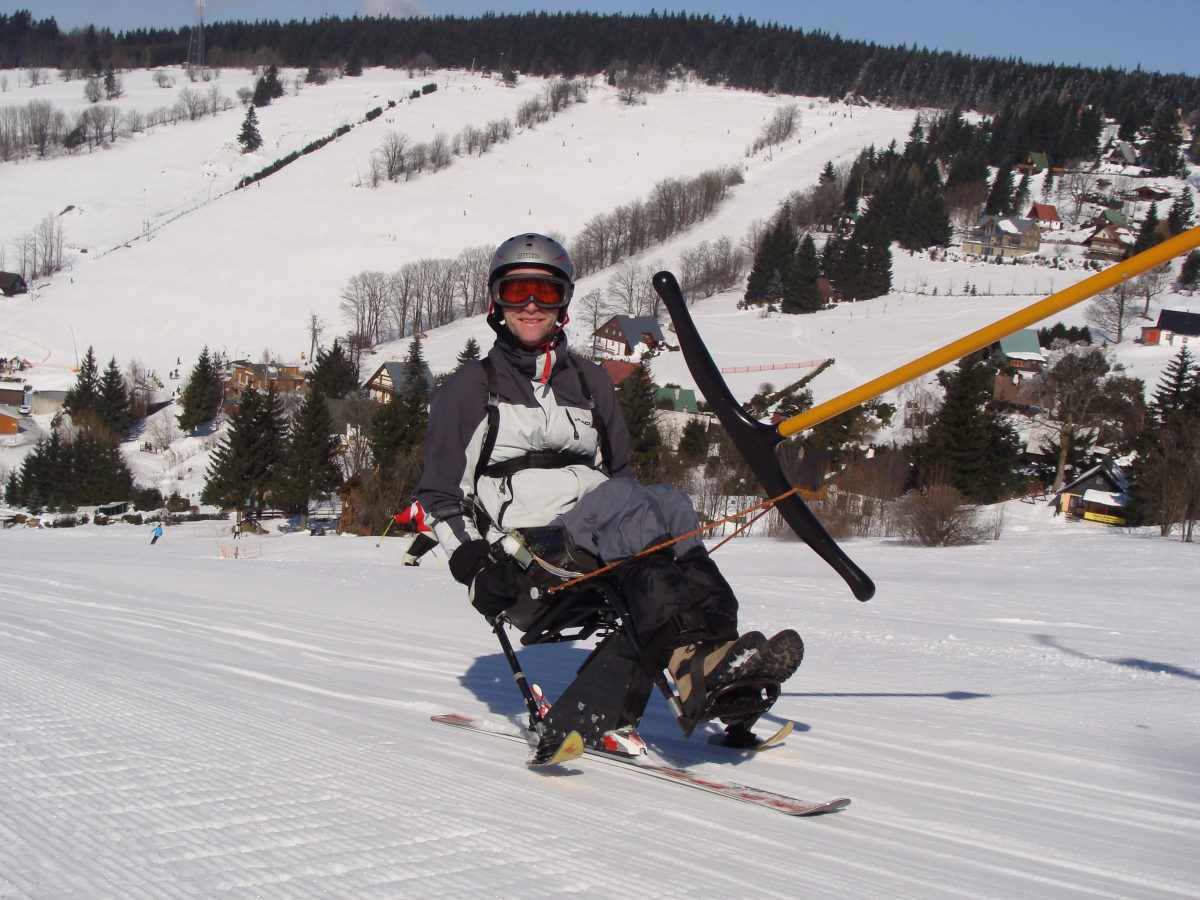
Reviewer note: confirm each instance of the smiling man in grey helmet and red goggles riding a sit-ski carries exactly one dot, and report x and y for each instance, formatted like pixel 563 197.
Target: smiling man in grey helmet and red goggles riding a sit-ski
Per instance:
pixel 555 452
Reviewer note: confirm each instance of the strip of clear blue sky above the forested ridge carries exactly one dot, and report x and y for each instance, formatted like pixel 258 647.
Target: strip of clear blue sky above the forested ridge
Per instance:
pixel 1156 34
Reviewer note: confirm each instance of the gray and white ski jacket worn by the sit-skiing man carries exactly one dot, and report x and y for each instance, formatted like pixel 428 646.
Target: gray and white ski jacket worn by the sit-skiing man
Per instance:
pixel 541 412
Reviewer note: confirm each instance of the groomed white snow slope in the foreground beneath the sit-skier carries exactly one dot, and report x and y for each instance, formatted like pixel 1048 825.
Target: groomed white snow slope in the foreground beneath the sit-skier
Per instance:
pixel 1015 719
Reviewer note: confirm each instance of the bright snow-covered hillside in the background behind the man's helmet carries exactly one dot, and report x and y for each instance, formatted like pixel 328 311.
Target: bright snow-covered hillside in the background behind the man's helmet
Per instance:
pixel 165 257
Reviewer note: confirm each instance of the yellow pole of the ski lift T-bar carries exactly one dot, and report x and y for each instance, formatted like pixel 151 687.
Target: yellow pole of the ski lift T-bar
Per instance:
pixel 977 340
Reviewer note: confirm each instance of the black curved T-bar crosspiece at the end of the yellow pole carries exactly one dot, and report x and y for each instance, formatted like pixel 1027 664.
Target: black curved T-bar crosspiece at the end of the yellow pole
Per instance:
pixel 755 441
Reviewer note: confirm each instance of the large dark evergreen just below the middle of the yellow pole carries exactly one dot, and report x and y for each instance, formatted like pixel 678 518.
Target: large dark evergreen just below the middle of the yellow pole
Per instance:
pixel 969 446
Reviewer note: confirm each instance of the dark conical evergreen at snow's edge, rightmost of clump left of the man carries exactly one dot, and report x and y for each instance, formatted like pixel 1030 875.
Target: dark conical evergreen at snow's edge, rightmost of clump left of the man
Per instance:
pixel 309 470
